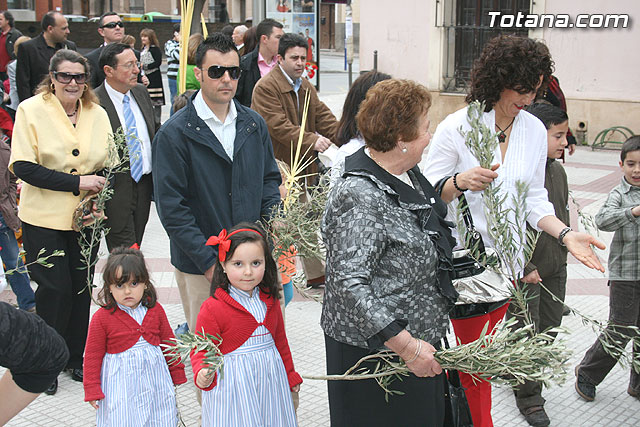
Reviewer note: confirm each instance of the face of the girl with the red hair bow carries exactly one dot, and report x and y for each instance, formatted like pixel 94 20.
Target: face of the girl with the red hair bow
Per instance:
pixel 245 269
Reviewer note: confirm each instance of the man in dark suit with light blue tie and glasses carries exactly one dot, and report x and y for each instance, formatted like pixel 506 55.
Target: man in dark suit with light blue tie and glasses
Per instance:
pixel 129 106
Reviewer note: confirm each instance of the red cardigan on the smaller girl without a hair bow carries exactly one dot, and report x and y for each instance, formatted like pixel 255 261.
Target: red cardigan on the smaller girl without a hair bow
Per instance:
pixel 115 332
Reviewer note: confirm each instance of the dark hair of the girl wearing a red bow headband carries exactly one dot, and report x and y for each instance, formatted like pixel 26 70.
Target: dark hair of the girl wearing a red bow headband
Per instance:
pixel 269 282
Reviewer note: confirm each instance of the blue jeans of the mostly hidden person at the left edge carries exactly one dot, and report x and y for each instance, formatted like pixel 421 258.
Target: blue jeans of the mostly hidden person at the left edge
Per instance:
pixel 20 283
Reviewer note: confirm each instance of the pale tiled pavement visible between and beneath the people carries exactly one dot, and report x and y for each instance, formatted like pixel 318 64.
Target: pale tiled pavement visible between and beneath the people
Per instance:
pixel 591 176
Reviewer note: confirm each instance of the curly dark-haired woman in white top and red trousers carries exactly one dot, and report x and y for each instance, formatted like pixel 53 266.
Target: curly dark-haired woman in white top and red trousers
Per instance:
pixel 506 77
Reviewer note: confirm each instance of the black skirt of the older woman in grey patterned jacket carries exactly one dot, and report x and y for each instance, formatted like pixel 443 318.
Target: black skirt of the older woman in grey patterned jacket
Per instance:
pixel 362 402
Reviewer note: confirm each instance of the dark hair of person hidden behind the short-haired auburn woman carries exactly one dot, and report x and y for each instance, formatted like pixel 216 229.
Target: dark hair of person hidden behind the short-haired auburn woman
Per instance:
pixel 347 126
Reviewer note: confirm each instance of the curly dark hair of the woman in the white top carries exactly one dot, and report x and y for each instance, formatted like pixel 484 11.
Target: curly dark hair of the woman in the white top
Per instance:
pixel 509 62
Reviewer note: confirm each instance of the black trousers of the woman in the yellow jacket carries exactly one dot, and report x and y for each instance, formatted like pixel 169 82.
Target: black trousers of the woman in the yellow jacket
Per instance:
pixel 62 297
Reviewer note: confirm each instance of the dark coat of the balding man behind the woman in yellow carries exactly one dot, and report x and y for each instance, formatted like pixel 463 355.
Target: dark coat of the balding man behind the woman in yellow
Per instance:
pixel 33 64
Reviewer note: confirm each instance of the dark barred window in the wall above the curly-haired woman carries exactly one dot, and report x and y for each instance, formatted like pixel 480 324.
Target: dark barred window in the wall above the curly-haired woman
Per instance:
pixel 466 30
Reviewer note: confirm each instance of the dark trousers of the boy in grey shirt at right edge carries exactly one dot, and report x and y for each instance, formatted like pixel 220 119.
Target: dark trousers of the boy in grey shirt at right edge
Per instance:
pixel 624 311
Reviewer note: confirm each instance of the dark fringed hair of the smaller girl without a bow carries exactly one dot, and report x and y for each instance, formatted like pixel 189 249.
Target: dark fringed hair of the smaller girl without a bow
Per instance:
pixel 122 265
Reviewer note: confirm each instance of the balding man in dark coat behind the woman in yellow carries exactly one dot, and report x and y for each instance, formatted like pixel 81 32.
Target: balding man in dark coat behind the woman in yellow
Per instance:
pixel 34 55
